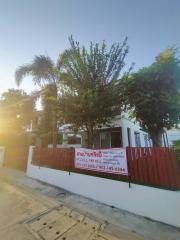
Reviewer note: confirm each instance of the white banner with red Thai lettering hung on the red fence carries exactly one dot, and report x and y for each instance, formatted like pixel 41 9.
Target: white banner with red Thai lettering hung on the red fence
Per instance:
pixel 112 160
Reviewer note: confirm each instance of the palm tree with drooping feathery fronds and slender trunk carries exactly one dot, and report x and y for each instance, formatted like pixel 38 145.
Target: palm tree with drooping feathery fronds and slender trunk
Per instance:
pixel 45 74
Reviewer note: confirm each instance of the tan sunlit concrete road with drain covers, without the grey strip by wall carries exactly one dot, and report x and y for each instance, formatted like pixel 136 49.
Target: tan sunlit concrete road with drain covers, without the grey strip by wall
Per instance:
pixel 28 215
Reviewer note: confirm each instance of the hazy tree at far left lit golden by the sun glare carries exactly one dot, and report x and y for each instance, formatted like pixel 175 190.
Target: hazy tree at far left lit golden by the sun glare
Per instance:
pixel 16 112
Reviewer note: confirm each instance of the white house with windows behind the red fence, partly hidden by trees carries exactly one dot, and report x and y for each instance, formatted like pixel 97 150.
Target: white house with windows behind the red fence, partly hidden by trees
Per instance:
pixel 121 132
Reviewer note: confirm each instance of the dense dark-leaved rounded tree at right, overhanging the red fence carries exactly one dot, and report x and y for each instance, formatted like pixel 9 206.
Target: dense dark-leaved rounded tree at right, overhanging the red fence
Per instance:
pixel 152 95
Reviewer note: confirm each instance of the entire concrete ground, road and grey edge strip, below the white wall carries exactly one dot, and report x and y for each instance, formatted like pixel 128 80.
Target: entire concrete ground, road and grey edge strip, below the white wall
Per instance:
pixel 34 203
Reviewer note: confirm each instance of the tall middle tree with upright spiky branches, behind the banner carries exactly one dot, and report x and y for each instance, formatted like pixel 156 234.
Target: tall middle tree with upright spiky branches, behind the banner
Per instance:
pixel 90 91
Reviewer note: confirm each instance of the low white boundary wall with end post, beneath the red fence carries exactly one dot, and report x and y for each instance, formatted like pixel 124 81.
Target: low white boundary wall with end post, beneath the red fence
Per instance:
pixel 157 204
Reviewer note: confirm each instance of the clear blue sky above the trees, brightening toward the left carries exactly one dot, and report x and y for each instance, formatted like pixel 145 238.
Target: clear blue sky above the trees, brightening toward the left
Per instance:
pixel 34 27
